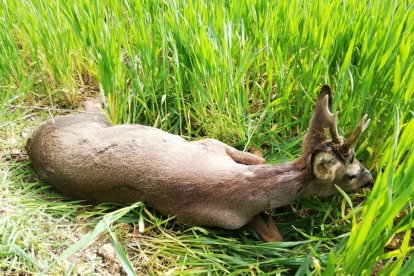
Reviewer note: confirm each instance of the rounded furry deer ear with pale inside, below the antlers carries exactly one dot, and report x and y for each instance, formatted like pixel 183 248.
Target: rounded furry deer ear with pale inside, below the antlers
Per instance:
pixel 325 166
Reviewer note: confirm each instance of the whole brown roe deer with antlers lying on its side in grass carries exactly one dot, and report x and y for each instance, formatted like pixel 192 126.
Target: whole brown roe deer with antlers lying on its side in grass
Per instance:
pixel 201 183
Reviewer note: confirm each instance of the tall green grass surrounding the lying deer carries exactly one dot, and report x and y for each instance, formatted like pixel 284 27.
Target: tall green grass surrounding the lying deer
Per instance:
pixel 245 72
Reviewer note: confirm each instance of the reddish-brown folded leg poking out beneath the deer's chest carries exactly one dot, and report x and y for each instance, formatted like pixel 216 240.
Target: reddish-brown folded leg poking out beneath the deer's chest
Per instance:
pixel 266 230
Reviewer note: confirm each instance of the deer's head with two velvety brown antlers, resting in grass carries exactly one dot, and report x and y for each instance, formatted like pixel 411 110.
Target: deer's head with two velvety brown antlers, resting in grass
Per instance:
pixel 332 161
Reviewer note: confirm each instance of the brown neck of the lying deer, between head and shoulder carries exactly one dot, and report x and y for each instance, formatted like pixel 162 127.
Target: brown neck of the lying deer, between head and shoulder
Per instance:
pixel 272 186
